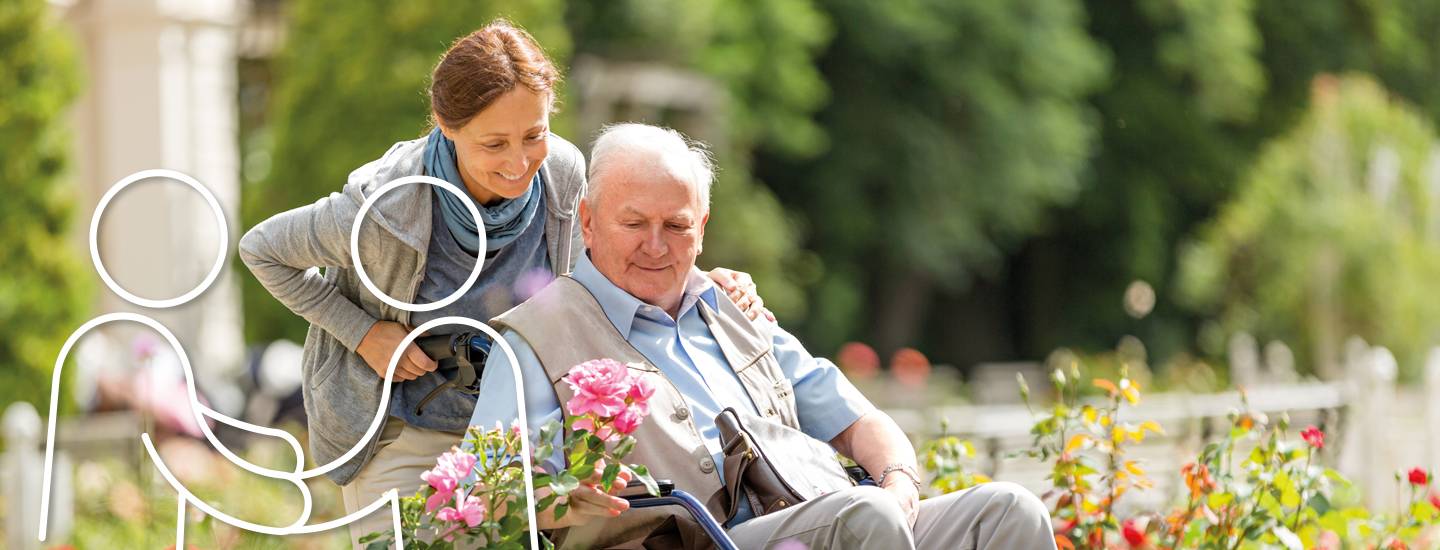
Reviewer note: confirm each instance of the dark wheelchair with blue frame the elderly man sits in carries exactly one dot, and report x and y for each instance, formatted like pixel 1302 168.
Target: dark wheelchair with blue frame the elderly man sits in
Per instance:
pixel 462 358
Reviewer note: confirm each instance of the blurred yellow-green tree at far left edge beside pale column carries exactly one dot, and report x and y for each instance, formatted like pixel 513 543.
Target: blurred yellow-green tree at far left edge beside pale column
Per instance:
pixel 44 296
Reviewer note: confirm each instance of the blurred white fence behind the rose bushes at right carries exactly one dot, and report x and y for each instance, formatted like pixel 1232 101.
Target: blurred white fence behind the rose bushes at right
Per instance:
pixel 1373 427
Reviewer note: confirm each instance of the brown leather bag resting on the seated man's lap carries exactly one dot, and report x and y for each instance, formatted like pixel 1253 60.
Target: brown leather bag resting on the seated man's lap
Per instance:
pixel 794 470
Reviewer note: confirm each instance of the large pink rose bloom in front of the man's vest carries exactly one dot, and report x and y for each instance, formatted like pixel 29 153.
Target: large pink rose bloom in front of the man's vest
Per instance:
pixel 610 400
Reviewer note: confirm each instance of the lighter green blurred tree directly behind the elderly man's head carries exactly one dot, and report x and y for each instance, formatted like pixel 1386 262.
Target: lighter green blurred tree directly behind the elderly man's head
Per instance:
pixel 761 55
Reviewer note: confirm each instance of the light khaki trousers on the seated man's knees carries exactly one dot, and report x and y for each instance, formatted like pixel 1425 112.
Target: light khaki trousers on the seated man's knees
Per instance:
pixel 996 516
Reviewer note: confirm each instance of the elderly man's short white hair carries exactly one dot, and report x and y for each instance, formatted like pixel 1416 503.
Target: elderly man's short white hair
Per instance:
pixel 654 149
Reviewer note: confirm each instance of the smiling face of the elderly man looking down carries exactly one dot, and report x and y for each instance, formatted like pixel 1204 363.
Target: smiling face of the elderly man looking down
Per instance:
pixel 644 231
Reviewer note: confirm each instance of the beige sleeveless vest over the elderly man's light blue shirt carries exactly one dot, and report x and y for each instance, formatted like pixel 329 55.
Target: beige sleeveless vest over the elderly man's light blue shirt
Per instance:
pixel 567 326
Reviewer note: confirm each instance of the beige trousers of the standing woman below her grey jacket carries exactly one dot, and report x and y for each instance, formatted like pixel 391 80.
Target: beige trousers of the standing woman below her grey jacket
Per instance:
pixel 402 456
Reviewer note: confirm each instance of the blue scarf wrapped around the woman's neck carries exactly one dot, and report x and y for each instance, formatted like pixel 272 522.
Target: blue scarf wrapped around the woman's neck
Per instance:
pixel 503 222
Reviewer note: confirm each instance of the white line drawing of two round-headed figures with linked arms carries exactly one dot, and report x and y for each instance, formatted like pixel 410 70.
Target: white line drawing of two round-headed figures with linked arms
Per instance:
pixel 201 411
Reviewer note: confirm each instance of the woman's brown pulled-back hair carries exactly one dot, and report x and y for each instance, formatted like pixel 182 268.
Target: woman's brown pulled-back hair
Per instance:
pixel 482 67
